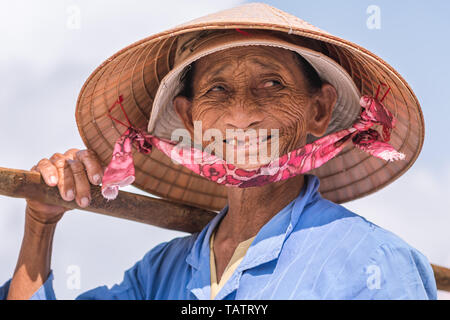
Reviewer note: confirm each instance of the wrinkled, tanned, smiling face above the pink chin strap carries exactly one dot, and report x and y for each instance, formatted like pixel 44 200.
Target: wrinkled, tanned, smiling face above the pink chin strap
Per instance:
pixel 256 87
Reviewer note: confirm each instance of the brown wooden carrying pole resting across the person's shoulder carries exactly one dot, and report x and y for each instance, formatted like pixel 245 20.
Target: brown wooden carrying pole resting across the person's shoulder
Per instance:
pixel 161 213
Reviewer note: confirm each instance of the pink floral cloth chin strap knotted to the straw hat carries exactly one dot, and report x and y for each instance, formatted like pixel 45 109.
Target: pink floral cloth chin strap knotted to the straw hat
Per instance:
pixel 120 171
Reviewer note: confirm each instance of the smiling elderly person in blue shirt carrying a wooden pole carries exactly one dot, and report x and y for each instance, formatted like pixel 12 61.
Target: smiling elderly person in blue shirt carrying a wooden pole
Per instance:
pixel 277 237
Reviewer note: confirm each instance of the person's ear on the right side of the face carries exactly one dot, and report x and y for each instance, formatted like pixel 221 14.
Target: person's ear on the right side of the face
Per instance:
pixel 321 110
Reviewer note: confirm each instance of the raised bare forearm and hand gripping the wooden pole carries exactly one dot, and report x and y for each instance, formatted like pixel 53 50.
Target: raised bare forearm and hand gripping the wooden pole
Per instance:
pixel 72 172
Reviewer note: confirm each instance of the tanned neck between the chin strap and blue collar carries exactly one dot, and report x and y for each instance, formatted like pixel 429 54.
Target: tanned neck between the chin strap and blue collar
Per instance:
pixel 249 209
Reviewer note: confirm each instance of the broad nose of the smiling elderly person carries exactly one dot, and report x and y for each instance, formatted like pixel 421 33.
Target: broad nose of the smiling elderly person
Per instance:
pixel 240 117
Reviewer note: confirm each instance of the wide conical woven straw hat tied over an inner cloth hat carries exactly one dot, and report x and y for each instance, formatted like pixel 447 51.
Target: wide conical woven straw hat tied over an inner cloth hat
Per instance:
pixel 137 71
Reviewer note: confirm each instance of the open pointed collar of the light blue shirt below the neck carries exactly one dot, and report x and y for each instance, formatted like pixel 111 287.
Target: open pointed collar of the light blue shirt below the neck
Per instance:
pixel 266 246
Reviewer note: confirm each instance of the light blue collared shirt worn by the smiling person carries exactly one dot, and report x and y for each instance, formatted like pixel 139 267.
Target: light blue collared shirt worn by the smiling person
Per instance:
pixel 311 249
